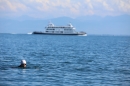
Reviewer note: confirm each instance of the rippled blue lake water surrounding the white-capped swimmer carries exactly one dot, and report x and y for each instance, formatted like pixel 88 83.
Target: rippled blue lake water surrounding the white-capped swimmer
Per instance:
pixel 64 60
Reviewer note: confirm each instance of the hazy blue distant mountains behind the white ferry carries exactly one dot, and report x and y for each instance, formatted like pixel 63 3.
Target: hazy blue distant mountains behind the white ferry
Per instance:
pixel 118 25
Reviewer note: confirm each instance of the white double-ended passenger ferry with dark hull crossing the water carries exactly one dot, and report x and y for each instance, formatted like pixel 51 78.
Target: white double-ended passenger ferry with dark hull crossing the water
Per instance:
pixel 51 29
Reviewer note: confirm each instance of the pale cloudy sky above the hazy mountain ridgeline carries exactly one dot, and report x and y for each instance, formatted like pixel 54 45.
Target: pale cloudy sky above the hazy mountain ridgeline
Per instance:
pixel 58 8
